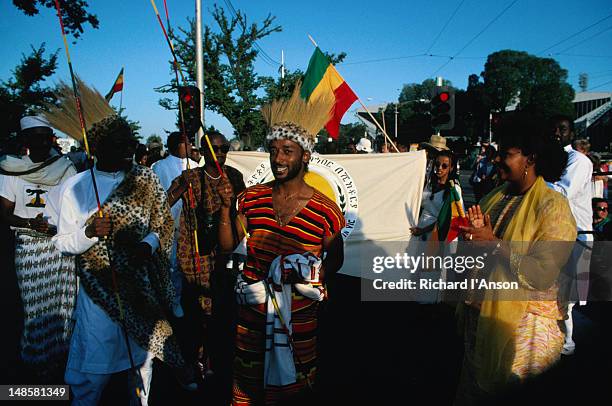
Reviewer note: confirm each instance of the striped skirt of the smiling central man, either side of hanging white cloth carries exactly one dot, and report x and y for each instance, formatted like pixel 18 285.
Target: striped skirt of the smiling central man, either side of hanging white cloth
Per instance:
pixel 248 387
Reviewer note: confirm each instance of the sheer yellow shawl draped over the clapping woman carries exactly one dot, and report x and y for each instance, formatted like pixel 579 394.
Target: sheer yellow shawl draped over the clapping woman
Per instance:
pixel 543 215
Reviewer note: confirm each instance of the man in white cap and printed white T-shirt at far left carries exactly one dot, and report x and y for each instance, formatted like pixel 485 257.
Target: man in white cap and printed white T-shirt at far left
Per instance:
pixel 29 194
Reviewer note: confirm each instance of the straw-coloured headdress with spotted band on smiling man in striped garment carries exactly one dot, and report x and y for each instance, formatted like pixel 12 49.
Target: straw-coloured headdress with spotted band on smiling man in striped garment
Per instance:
pixel 296 119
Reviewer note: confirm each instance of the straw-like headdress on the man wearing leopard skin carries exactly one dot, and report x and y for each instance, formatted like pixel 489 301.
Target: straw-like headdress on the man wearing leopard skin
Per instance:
pixel 63 115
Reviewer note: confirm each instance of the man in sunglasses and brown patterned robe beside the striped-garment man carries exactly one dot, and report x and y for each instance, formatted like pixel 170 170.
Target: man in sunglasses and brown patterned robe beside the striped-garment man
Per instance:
pixel 211 283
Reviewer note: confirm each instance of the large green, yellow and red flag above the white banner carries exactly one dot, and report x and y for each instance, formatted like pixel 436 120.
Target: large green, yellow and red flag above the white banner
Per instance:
pixel 321 78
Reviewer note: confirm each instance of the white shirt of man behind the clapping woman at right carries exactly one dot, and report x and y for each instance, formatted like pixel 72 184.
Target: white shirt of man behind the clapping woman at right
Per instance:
pixel 575 185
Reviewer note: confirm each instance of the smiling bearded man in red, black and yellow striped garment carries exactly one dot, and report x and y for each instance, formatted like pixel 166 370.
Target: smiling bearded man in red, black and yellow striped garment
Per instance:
pixel 280 218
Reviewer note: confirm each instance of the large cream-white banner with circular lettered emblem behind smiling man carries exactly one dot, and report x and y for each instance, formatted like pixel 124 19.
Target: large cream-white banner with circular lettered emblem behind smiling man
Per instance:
pixel 379 194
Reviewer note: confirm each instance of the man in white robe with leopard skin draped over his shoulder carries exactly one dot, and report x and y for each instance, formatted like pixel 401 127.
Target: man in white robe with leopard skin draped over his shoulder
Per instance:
pixel 99 345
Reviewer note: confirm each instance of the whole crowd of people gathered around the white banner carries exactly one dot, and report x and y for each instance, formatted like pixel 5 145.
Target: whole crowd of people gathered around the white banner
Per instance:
pixel 130 257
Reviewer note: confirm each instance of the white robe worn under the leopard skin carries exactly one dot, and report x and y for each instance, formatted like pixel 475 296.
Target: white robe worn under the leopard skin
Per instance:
pixel 98 344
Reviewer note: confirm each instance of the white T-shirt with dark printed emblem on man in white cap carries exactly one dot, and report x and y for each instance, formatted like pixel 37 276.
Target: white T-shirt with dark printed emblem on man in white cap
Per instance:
pixel 32 199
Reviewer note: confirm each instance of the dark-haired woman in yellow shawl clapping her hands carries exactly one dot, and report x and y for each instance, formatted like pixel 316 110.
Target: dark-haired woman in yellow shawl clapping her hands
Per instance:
pixel 509 339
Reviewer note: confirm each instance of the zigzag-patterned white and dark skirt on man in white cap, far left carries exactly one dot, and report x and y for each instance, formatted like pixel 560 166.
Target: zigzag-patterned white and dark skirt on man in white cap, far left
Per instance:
pixel 48 286
